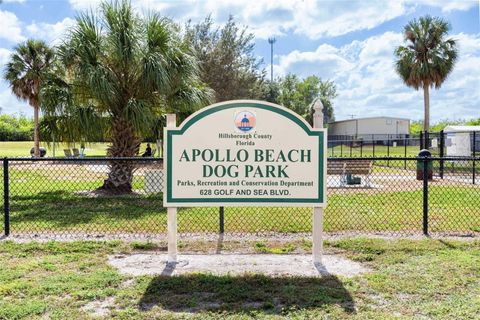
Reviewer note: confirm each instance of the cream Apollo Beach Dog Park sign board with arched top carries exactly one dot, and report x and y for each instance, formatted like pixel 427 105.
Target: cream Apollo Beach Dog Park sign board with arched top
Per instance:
pixel 244 153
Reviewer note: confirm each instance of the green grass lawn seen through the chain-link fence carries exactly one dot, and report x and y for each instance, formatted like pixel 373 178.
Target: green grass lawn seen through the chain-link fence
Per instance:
pixel 54 200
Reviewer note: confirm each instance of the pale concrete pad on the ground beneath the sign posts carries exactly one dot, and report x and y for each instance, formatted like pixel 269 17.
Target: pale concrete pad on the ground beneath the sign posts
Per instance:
pixel 269 264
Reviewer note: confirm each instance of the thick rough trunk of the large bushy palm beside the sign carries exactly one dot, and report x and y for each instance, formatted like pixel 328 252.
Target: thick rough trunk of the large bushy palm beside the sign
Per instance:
pixel 125 143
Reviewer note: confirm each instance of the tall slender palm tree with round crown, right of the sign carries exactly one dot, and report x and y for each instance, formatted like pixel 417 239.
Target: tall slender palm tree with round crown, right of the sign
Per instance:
pixel 427 58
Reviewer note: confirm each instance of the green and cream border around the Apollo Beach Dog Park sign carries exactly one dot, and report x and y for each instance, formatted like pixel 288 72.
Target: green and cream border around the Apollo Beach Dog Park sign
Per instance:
pixel 170 132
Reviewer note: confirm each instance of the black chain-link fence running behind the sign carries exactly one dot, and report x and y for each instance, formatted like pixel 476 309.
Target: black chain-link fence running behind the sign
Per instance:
pixel 375 195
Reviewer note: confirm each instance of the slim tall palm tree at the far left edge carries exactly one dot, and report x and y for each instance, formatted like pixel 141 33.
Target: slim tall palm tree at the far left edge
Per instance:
pixel 26 73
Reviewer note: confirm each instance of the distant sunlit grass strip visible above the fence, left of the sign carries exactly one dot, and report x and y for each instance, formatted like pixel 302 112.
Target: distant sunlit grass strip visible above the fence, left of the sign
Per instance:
pixel 22 149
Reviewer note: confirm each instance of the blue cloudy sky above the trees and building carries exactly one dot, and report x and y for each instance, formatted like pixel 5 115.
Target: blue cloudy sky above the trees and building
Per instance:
pixel 350 42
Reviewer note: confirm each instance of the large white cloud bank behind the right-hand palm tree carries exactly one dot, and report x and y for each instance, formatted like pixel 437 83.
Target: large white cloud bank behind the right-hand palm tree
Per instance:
pixel 368 85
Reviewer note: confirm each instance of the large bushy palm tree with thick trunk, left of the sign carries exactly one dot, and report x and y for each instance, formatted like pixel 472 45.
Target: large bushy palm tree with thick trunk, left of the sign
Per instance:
pixel 124 71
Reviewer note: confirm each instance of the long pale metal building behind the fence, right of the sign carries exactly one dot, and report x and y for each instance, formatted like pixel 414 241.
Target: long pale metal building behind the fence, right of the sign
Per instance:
pixel 381 127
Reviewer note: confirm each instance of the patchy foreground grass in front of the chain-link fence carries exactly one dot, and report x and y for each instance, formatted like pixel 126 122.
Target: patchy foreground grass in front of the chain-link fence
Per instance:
pixel 427 279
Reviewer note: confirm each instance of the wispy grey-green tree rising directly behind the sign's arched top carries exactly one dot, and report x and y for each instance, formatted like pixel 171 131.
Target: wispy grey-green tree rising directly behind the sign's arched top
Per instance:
pixel 227 59
